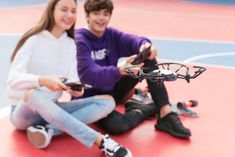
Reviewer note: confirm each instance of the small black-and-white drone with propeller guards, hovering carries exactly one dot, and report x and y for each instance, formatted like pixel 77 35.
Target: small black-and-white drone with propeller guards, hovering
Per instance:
pixel 165 72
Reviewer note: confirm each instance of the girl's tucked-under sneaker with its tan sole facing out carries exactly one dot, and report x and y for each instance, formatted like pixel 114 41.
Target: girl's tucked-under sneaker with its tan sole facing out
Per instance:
pixel 40 136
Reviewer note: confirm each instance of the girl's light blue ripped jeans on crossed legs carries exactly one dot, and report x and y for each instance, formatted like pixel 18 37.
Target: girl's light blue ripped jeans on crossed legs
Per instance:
pixel 70 117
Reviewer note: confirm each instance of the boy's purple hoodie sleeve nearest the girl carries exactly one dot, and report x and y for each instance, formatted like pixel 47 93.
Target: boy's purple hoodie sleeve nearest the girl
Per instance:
pixel 100 77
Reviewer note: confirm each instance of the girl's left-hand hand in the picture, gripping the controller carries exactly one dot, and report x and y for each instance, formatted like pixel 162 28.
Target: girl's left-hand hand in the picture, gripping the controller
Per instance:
pixel 53 83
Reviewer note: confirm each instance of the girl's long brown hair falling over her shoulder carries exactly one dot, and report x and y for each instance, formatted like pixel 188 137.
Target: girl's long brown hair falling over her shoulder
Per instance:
pixel 46 22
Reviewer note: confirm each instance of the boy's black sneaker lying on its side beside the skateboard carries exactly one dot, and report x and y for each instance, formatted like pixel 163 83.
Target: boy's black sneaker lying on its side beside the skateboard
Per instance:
pixel 149 110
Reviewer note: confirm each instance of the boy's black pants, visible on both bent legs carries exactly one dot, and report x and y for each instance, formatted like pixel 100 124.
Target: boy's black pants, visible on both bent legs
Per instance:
pixel 116 122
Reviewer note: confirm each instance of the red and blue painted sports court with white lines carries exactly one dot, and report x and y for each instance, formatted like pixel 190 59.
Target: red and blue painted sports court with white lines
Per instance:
pixel 197 32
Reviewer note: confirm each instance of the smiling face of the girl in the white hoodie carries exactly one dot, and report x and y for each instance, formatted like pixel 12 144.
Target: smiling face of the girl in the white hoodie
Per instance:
pixel 65 14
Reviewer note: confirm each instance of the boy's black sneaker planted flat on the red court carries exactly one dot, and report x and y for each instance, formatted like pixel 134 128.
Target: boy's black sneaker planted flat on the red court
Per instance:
pixel 172 124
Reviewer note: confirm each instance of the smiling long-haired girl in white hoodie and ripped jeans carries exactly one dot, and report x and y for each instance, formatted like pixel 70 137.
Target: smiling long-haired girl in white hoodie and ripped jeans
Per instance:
pixel 43 56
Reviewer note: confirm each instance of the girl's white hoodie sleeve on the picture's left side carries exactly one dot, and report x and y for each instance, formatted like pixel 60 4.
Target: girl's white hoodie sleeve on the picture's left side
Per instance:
pixel 19 78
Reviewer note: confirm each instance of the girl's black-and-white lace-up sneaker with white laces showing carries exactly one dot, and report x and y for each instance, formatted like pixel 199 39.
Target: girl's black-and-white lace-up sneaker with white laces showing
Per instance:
pixel 113 149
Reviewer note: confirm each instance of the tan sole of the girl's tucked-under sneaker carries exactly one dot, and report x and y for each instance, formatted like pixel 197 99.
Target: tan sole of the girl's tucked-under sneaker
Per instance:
pixel 37 138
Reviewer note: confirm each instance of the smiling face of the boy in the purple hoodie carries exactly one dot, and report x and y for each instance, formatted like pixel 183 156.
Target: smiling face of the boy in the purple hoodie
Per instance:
pixel 98 21
